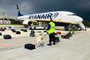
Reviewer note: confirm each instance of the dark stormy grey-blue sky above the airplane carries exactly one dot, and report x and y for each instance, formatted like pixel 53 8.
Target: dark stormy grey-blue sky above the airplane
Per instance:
pixel 79 7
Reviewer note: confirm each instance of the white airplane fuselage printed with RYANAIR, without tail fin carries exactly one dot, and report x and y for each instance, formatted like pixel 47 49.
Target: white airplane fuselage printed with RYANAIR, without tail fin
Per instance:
pixel 57 16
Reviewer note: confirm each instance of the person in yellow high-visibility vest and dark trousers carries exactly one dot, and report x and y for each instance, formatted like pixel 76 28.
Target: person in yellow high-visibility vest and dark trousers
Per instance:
pixel 51 32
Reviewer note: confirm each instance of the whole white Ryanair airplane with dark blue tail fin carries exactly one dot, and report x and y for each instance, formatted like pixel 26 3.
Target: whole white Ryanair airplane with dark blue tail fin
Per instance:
pixel 57 16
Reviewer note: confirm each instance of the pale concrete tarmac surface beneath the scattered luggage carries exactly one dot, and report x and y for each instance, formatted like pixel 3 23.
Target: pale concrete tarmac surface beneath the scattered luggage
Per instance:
pixel 75 48
